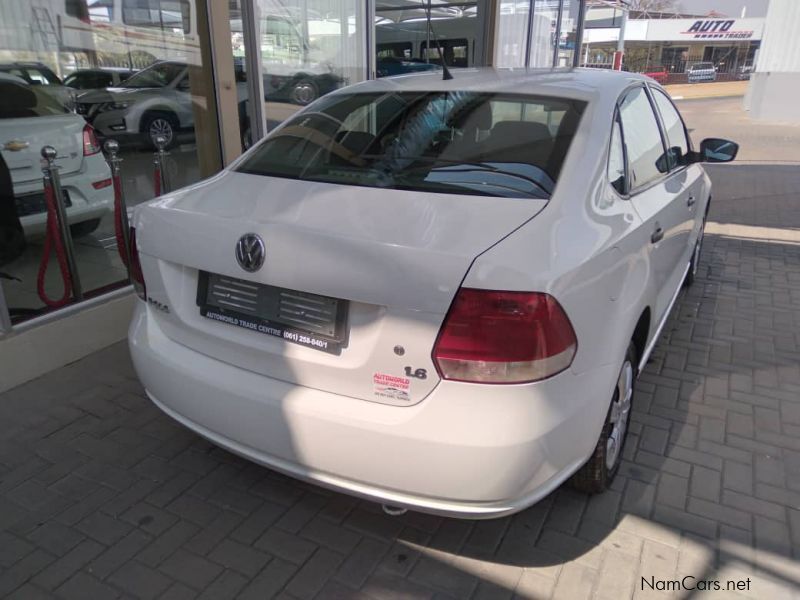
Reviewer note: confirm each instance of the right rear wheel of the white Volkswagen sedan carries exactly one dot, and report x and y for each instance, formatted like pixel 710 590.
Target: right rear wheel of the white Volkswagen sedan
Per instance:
pixel 597 474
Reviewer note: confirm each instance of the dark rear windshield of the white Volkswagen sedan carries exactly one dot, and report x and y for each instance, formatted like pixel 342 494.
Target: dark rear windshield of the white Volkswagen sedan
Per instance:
pixel 486 144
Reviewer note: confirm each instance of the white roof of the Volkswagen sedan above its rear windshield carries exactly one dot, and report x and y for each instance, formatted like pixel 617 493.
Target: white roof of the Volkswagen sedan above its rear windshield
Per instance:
pixel 575 83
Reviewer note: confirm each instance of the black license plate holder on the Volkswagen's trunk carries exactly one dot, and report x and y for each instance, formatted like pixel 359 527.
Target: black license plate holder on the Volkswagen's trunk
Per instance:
pixel 311 320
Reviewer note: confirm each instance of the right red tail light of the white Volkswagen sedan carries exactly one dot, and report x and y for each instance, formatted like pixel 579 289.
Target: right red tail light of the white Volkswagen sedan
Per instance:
pixel 504 337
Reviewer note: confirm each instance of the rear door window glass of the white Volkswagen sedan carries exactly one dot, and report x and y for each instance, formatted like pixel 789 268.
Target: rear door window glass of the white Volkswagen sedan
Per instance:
pixel 642 138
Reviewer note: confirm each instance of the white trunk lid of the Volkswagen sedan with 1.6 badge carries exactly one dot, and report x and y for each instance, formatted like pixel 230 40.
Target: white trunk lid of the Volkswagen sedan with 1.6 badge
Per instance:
pixel 393 259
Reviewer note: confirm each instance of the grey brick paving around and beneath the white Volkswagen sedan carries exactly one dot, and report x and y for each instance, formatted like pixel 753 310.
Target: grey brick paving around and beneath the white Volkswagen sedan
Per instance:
pixel 102 496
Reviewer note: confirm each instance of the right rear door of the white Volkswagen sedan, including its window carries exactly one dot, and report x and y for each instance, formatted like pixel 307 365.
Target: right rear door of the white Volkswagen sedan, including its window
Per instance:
pixel 655 196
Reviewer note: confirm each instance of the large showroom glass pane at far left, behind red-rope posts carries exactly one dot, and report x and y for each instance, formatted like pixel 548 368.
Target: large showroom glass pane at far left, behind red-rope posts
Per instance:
pixel 46 45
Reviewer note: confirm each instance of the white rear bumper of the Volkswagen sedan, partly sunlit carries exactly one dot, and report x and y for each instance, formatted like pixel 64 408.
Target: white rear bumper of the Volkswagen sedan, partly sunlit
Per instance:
pixel 467 450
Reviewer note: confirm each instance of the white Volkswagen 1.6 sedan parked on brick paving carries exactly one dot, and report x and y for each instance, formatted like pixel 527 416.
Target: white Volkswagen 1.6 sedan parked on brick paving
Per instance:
pixel 432 294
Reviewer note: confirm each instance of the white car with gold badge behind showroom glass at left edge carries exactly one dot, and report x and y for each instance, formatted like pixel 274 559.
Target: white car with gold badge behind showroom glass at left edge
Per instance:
pixel 30 119
